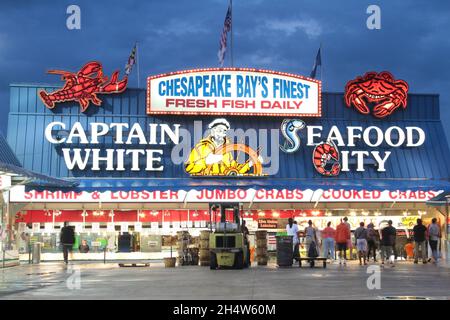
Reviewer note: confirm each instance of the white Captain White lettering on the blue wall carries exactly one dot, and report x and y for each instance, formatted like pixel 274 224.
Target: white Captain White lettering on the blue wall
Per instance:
pixel 94 157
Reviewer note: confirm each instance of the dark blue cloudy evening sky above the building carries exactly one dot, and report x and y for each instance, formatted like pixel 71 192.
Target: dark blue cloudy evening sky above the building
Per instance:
pixel 283 35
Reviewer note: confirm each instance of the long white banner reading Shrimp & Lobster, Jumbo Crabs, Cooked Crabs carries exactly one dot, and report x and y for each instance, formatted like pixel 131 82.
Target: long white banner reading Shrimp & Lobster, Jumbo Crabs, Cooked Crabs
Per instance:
pixel 228 195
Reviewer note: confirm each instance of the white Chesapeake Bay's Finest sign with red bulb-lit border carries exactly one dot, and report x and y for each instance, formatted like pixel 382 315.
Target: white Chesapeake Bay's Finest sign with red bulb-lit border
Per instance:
pixel 233 91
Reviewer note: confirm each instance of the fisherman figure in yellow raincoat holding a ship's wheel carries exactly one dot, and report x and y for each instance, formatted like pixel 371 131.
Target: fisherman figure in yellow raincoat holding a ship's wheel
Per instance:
pixel 214 155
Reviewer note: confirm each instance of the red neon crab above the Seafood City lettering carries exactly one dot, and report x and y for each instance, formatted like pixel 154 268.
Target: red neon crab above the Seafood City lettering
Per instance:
pixel 381 88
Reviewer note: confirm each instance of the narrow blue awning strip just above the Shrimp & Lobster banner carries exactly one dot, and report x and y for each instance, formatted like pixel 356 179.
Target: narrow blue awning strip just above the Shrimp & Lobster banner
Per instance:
pixel 164 184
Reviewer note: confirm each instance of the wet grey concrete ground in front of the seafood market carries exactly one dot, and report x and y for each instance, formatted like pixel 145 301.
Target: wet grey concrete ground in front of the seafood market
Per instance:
pixel 109 281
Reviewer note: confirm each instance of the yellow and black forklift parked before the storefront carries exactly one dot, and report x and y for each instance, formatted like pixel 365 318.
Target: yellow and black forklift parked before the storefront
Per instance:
pixel 228 246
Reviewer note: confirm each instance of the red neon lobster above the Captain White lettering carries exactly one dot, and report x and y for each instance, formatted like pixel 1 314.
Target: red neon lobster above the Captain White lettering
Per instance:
pixel 83 86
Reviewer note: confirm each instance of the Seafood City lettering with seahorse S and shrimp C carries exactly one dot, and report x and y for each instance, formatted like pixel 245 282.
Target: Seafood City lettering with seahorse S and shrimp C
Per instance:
pixel 330 160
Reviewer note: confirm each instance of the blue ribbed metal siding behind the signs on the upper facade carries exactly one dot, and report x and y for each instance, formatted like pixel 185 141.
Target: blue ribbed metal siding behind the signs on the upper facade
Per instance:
pixel 28 118
